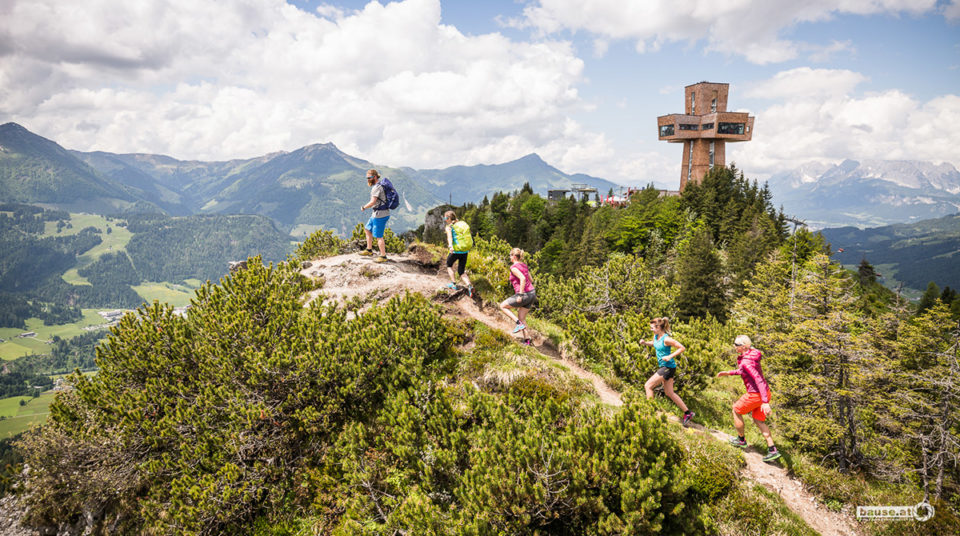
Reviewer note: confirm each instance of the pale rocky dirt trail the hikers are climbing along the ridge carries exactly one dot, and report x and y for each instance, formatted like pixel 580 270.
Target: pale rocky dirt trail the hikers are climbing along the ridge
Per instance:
pixel 348 276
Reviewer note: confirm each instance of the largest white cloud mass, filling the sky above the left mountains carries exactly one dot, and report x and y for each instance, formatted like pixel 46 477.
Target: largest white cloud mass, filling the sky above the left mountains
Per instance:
pixel 219 80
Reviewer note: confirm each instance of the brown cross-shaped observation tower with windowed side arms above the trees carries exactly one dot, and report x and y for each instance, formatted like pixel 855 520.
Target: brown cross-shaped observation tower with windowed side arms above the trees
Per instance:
pixel 704 129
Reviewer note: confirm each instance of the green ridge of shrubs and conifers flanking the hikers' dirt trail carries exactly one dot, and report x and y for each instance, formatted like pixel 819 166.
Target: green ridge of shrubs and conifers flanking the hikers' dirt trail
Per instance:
pixel 256 414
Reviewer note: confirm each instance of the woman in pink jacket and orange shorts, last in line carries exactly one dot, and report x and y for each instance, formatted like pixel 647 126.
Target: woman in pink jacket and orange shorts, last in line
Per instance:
pixel 756 401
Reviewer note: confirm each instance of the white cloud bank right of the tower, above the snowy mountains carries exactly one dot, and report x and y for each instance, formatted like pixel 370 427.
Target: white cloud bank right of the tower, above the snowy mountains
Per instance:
pixel 836 123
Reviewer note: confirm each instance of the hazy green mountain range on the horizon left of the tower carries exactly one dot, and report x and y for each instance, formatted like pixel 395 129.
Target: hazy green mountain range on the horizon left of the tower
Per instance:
pixel 316 186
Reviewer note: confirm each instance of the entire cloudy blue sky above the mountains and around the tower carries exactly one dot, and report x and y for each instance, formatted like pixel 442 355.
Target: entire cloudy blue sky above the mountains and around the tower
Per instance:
pixel 436 83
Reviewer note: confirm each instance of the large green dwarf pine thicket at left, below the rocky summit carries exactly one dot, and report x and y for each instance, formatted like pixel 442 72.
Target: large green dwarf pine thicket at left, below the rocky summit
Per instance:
pixel 201 424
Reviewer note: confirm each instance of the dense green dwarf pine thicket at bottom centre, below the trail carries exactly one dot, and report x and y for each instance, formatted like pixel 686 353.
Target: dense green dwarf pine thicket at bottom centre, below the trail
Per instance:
pixel 514 465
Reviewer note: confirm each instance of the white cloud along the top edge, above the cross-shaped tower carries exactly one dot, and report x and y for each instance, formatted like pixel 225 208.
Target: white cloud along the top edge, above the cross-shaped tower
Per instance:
pixel 750 28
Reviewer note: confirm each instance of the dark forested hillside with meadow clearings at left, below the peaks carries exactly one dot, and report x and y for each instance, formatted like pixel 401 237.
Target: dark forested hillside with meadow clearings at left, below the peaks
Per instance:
pixel 37 254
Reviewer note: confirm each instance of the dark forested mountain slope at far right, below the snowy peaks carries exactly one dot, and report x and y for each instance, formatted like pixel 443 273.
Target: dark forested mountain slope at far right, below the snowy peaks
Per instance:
pixel 916 253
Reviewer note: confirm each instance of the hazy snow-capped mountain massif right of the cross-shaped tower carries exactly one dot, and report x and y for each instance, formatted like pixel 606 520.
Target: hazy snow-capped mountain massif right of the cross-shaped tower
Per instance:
pixel 867 193
